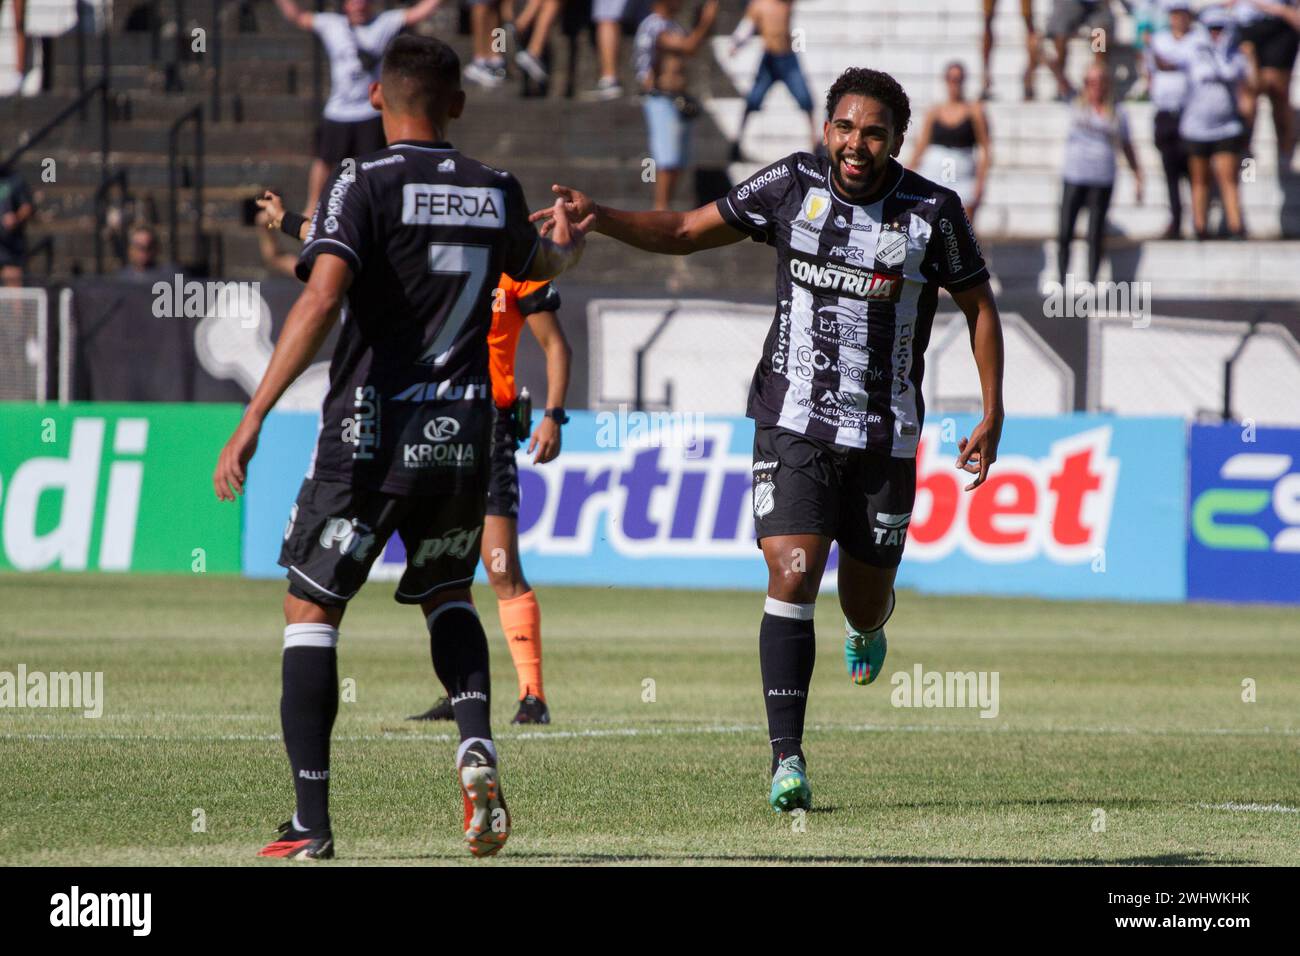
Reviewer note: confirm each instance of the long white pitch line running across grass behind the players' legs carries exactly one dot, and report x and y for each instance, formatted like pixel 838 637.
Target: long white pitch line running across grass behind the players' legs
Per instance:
pixel 678 732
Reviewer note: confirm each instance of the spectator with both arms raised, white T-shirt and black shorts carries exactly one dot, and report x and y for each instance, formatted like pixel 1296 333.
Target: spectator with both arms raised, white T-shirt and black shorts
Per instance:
pixel 354 42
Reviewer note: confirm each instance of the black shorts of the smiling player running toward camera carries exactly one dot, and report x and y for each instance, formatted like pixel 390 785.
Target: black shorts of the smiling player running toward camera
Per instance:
pixel 863 500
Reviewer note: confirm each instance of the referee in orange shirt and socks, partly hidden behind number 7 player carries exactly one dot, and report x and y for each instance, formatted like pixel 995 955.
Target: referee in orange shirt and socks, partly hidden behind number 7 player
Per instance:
pixel 514 306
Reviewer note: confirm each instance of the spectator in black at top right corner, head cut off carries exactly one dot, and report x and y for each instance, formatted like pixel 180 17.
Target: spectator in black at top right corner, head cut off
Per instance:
pixel 1271 37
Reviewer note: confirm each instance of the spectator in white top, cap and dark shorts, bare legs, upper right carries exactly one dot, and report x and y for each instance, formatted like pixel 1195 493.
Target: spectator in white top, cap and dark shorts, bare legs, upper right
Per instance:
pixel 1214 132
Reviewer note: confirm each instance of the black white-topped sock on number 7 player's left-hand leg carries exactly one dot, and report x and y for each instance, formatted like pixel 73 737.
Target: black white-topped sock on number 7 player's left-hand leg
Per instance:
pixel 309 704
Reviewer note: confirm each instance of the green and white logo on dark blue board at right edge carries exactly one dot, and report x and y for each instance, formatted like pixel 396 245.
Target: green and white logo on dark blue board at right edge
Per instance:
pixel 1228 518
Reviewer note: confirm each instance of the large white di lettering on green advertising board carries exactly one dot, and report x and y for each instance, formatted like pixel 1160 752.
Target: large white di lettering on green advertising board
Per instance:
pixel 75 483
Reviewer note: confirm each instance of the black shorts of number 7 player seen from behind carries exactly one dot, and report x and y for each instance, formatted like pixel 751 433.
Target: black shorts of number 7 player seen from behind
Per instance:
pixel 336 531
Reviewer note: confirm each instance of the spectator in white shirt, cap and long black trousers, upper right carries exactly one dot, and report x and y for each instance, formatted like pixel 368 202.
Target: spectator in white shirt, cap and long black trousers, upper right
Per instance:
pixel 1167 63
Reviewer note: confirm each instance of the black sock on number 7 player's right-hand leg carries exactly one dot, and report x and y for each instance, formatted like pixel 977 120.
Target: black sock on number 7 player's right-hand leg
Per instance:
pixel 460 650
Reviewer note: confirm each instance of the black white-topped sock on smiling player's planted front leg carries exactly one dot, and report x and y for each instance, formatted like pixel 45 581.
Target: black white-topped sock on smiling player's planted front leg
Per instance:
pixel 787 652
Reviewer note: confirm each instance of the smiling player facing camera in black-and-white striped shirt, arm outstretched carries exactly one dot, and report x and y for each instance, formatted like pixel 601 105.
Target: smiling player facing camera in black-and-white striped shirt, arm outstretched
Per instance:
pixel 864 246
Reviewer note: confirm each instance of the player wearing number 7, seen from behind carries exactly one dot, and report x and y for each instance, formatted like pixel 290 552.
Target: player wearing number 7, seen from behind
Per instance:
pixel 413 237
